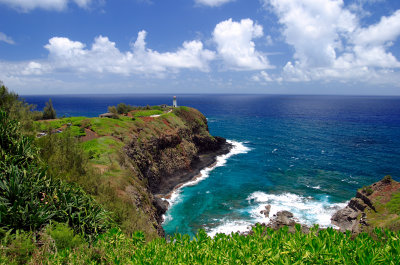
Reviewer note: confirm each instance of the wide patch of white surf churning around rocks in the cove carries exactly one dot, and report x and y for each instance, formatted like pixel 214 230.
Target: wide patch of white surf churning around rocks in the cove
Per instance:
pixel 306 210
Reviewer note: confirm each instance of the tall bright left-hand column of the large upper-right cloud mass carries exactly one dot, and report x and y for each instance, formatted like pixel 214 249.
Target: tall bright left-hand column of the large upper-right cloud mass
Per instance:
pixel 314 28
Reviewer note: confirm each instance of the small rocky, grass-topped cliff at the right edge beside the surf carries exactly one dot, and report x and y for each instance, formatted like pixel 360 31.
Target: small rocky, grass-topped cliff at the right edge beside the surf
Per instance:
pixel 377 205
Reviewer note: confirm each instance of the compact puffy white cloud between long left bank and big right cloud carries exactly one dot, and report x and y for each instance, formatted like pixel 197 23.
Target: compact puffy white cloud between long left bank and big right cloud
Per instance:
pixel 235 44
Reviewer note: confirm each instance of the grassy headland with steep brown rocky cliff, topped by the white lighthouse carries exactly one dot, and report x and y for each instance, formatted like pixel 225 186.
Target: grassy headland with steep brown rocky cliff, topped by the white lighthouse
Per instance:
pixel 135 157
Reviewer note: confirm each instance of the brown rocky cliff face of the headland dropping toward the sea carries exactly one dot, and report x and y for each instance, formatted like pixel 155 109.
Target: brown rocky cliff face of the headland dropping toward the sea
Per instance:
pixel 171 150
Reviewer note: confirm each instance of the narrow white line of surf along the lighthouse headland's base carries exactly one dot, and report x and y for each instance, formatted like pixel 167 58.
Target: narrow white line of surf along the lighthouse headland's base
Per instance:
pixel 237 148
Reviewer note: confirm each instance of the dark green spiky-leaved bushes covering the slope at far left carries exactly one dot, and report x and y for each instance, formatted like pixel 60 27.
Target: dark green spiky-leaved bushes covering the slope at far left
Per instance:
pixel 30 199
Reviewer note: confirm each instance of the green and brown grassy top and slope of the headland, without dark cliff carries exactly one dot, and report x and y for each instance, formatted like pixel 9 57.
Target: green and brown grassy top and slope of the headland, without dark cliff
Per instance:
pixel 102 167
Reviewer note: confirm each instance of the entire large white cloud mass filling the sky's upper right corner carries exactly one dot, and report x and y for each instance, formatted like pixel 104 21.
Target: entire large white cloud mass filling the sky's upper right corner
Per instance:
pixel 330 42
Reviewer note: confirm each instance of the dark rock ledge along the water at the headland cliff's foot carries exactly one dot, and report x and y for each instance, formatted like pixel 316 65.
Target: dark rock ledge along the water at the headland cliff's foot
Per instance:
pixel 179 178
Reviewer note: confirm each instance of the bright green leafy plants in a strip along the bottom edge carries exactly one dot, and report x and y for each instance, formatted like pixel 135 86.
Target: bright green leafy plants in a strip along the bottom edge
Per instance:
pixel 263 246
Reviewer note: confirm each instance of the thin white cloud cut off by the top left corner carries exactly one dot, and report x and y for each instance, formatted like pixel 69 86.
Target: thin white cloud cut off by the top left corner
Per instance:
pixel 28 5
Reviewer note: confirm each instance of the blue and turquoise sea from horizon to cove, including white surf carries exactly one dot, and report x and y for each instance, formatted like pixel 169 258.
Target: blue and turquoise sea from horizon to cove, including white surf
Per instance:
pixel 305 154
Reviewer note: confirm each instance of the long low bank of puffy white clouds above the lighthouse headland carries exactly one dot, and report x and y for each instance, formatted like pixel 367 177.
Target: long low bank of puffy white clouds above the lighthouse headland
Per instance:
pixel 104 57
